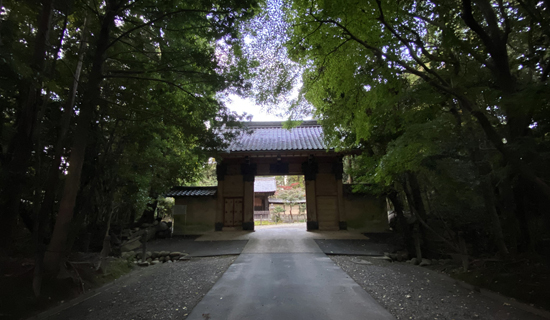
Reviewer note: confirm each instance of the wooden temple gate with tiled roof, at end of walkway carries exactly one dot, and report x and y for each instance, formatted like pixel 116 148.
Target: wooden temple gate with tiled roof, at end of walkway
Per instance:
pixel 271 150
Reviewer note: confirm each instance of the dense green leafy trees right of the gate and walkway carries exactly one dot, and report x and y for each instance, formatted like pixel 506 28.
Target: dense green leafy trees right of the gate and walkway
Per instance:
pixel 448 99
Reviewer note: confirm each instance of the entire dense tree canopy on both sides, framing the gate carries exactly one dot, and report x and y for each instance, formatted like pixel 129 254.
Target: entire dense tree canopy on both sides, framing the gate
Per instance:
pixel 105 105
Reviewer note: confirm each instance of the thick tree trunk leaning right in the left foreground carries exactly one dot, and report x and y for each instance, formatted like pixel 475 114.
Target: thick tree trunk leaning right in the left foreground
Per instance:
pixel 57 246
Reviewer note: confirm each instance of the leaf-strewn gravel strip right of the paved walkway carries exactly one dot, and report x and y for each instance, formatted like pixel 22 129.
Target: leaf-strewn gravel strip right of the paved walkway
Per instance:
pixel 412 292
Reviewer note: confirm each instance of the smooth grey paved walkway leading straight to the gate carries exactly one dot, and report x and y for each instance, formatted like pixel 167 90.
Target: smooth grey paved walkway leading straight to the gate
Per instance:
pixel 283 274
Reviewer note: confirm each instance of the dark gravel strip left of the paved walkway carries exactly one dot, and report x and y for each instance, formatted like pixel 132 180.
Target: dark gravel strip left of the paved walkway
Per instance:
pixel 164 291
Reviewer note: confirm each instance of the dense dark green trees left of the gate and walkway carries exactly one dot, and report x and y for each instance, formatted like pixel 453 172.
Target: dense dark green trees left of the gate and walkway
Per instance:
pixel 105 105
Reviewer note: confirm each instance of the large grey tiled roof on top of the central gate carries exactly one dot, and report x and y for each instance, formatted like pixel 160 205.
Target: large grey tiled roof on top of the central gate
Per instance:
pixel 271 136
